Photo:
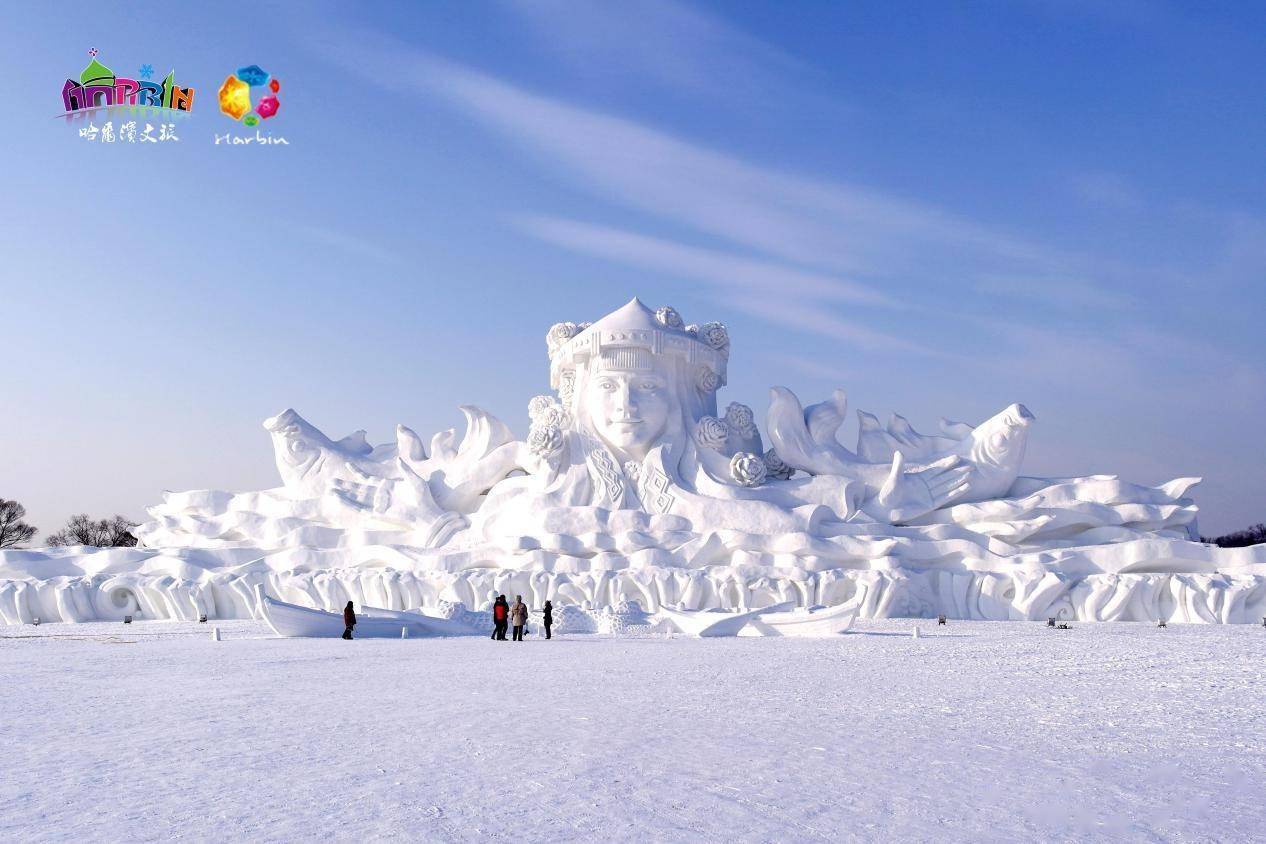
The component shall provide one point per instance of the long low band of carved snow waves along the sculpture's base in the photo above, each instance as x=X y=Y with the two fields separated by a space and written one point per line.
x=1025 y=593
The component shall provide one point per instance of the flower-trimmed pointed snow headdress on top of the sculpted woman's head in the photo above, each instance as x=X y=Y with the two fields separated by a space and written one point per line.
x=630 y=337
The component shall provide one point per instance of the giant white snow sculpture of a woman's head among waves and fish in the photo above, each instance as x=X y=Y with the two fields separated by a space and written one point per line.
x=632 y=488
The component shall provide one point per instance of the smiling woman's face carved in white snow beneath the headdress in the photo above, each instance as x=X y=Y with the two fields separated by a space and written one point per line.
x=630 y=409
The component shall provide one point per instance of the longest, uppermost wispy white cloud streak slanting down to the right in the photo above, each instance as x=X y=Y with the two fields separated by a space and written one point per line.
x=844 y=228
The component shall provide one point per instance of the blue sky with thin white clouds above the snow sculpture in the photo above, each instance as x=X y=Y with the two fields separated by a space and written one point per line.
x=941 y=208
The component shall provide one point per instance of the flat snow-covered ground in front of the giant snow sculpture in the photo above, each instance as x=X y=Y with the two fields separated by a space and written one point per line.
x=974 y=732
